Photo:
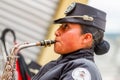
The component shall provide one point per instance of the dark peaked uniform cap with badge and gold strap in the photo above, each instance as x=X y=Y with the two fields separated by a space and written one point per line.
x=84 y=14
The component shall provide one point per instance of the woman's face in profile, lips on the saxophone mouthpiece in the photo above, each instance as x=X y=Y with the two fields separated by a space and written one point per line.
x=68 y=38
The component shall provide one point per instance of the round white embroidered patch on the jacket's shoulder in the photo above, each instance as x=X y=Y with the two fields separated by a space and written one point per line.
x=81 y=74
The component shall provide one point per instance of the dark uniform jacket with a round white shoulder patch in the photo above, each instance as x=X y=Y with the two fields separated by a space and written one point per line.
x=70 y=66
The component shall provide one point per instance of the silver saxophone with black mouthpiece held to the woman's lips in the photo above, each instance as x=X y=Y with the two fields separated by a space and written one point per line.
x=9 y=72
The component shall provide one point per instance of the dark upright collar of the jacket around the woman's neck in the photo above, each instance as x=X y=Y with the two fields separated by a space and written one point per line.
x=82 y=53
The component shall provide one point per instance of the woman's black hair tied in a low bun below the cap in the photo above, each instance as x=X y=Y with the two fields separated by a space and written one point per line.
x=99 y=45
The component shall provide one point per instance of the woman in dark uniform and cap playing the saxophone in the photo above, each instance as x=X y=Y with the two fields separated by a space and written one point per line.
x=79 y=37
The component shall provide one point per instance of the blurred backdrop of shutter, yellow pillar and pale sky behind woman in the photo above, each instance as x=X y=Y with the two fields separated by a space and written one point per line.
x=32 y=21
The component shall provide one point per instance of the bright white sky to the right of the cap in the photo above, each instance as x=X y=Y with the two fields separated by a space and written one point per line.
x=112 y=8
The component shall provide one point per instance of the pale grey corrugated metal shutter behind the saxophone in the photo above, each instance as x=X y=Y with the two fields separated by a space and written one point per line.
x=30 y=19
